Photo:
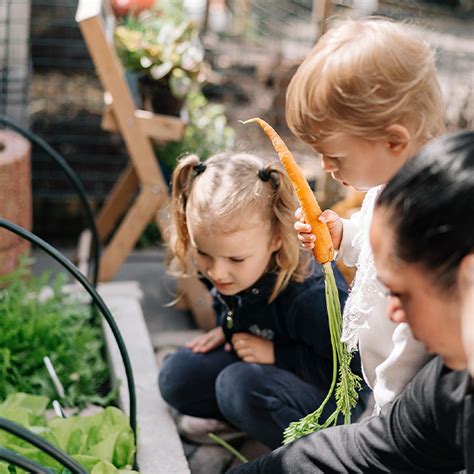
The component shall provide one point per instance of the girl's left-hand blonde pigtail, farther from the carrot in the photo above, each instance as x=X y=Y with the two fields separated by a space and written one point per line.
x=183 y=177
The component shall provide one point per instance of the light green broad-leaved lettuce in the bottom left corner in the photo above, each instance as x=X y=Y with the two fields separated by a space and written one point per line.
x=102 y=443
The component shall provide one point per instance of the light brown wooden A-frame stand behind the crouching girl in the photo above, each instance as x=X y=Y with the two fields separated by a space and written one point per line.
x=140 y=195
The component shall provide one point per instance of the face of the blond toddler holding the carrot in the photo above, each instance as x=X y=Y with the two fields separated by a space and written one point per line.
x=360 y=163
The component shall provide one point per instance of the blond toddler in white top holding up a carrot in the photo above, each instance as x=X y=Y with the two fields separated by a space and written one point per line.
x=367 y=98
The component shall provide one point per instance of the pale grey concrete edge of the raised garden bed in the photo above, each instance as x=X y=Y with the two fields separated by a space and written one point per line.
x=160 y=450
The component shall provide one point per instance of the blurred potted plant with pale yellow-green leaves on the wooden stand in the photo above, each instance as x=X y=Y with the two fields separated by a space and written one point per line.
x=162 y=48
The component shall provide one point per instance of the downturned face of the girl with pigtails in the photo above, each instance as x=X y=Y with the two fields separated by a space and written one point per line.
x=233 y=261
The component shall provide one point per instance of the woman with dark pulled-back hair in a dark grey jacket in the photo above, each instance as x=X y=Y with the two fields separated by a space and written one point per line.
x=422 y=237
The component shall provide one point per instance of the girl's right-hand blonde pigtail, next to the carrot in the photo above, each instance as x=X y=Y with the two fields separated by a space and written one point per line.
x=289 y=262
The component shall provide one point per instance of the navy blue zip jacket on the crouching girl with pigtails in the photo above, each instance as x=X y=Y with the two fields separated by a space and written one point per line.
x=296 y=322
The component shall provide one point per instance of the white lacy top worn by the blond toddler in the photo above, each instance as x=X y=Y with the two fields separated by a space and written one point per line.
x=389 y=353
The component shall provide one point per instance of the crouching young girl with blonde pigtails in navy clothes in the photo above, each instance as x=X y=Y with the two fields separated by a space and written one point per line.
x=268 y=362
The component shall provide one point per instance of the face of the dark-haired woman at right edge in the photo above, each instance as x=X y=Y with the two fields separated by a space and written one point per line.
x=433 y=314
